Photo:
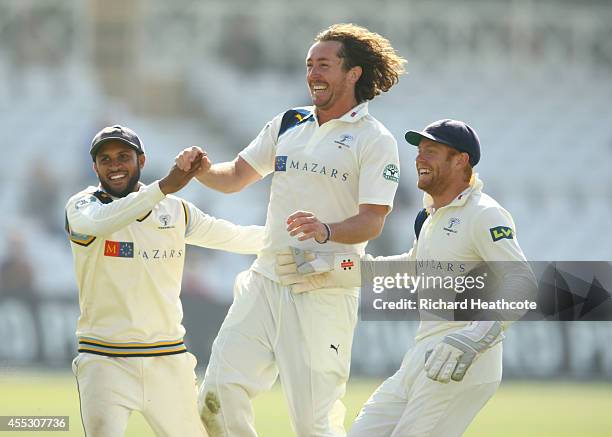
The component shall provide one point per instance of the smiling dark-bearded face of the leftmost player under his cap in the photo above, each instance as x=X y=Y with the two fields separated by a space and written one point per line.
x=118 y=168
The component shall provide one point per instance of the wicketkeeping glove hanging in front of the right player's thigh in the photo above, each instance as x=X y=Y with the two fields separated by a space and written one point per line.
x=452 y=357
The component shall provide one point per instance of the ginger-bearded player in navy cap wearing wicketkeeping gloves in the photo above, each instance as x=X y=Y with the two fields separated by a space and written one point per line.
x=455 y=366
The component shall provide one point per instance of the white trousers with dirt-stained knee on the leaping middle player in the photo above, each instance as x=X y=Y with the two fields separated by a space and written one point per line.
x=269 y=331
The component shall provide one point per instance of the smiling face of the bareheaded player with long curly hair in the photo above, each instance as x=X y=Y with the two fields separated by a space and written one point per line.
x=330 y=85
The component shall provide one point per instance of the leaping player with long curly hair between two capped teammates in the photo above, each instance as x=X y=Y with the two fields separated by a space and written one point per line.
x=335 y=170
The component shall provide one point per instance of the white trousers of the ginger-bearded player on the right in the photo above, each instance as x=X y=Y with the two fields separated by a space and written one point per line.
x=409 y=404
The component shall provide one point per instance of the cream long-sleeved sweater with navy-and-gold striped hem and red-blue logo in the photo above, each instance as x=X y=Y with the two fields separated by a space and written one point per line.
x=128 y=257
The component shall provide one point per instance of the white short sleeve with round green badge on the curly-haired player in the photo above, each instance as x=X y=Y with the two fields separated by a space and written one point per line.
x=379 y=171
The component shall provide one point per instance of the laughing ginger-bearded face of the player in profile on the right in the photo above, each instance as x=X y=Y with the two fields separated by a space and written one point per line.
x=438 y=167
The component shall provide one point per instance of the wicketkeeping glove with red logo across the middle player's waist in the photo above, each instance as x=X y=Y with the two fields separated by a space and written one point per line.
x=304 y=270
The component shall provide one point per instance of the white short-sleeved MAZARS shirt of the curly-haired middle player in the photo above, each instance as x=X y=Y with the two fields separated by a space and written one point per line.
x=328 y=170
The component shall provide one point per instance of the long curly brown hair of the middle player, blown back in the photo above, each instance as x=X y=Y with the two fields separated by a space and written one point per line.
x=381 y=65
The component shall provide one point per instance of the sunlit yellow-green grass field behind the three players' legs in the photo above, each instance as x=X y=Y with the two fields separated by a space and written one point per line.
x=525 y=409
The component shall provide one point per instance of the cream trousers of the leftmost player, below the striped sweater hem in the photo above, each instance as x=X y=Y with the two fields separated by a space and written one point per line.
x=163 y=389
